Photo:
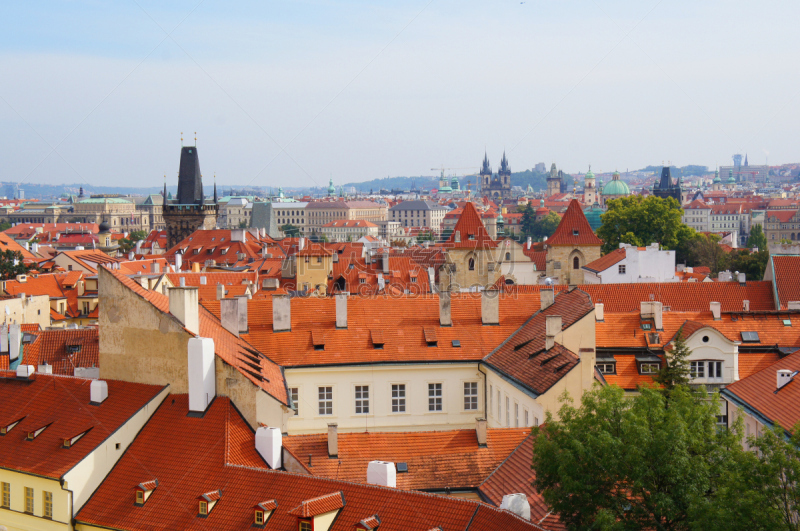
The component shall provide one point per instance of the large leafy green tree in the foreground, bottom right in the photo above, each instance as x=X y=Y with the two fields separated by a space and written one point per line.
x=631 y=463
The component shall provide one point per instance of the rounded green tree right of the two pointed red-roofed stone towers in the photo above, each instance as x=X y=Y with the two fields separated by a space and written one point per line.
x=641 y=221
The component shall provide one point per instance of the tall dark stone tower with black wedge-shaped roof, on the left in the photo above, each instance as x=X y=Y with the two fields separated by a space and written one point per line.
x=189 y=211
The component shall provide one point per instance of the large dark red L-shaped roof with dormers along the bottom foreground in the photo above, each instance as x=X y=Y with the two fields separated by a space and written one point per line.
x=188 y=456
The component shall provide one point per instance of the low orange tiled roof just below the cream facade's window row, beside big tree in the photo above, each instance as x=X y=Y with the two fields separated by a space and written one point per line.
x=436 y=459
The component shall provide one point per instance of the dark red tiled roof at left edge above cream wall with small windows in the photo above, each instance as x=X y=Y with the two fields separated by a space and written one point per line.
x=61 y=403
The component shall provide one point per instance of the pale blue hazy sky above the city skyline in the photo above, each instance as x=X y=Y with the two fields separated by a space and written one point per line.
x=296 y=93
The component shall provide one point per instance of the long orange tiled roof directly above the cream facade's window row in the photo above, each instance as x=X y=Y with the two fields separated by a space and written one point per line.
x=401 y=319
